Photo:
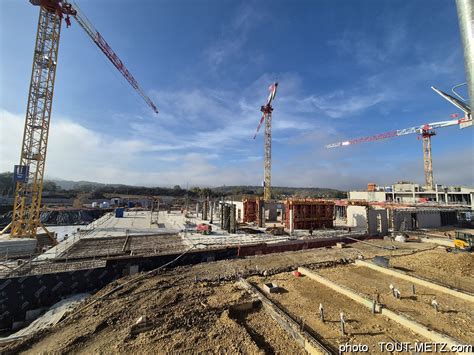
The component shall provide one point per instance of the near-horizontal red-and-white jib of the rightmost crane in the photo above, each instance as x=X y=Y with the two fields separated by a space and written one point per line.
x=462 y=122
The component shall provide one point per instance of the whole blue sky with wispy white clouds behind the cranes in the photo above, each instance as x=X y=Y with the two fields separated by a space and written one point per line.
x=346 y=69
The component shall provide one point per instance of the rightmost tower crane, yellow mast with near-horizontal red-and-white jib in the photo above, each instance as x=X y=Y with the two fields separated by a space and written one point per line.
x=426 y=131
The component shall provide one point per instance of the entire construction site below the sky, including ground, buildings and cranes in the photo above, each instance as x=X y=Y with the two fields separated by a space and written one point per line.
x=387 y=269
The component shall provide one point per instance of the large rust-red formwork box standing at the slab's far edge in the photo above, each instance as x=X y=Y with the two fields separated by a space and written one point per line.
x=309 y=213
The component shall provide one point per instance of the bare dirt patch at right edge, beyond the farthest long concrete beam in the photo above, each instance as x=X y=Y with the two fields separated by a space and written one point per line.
x=453 y=269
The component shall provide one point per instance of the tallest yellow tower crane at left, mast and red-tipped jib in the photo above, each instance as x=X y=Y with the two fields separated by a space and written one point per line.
x=28 y=175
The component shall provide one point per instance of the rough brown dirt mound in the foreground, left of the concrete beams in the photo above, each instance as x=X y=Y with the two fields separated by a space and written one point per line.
x=185 y=318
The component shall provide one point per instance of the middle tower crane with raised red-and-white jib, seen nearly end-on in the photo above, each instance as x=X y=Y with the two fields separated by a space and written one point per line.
x=267 y=117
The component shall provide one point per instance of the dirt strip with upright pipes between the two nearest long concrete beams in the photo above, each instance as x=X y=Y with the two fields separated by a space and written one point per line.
x=301 y=297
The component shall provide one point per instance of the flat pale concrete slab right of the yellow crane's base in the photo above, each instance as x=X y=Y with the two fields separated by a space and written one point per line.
x=141 y=224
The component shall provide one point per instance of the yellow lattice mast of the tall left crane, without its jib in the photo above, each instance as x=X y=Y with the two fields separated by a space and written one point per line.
x=29 y=173
